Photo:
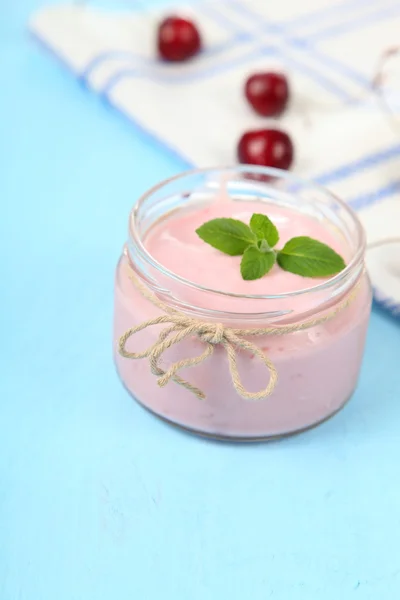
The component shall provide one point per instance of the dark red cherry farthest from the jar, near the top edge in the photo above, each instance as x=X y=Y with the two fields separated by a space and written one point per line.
x=177 y=39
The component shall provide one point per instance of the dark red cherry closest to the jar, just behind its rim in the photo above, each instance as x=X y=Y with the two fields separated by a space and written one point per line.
x=267 y=148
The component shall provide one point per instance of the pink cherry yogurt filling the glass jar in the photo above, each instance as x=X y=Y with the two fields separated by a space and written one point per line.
x=317 y=368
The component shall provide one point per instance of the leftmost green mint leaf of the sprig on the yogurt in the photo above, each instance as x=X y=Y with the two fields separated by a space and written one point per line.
x=227 y=235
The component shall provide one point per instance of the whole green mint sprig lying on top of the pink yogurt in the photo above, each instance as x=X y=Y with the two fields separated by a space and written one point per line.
x=301 y=255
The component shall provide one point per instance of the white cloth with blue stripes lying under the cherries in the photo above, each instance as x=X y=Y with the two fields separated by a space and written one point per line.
x=330 y=50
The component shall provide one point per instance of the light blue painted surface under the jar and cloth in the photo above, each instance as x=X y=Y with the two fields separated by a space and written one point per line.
x=99 y=500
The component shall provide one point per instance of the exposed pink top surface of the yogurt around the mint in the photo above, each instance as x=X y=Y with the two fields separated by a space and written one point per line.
x=174 y=243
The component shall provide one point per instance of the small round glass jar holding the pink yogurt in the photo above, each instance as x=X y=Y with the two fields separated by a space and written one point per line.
x=314 y=346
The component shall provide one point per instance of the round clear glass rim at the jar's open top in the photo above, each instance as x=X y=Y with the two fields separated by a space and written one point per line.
x=267 y=172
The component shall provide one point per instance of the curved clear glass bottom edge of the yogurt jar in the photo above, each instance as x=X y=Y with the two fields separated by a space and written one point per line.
x=234 y=438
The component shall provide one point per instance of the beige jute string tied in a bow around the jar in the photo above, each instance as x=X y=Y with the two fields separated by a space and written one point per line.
x=180 y=327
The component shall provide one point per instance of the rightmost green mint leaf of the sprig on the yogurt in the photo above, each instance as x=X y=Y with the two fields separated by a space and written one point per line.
x=309 y=258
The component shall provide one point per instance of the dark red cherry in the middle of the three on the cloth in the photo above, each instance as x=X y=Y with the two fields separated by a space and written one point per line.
x=268 y=93
